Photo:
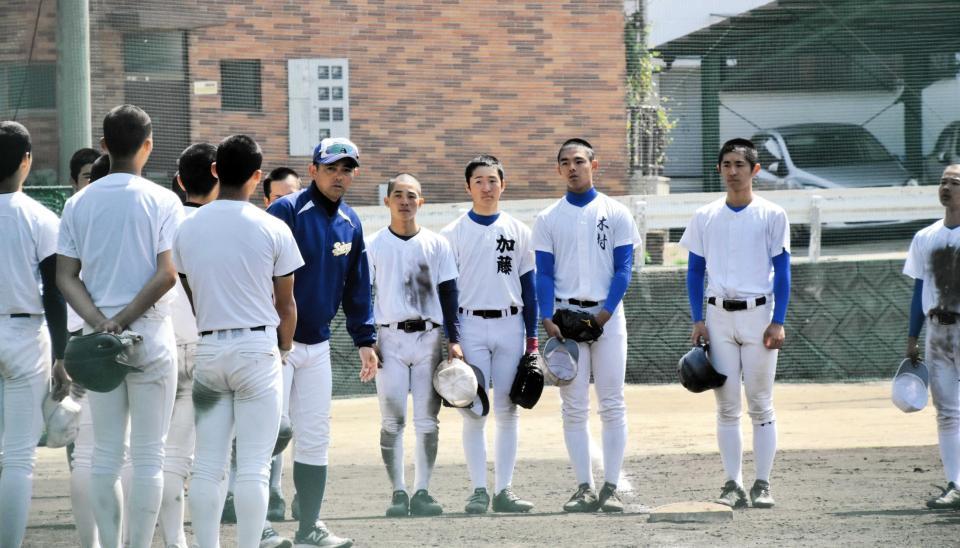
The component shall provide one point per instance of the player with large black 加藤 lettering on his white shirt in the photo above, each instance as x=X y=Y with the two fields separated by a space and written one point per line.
x=497 y=305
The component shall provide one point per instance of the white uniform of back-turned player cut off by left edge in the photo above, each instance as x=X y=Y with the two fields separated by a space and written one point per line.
x=29 y=236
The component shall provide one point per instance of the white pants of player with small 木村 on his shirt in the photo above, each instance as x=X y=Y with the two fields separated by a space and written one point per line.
x=606 y=359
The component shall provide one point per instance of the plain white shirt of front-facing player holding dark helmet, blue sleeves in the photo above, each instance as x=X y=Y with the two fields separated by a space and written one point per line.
x=739 y=246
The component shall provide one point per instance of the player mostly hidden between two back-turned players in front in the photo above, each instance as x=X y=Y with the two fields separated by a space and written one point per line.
x=200 y=187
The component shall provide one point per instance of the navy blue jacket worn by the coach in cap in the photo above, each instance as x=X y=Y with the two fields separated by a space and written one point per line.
x=336 y=268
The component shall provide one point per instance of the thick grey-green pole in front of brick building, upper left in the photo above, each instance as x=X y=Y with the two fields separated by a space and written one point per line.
x=73 y=80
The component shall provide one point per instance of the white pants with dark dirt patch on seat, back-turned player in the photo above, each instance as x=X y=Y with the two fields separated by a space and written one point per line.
x=237 y=388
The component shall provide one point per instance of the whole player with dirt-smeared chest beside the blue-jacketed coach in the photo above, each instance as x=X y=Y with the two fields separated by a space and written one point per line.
x=414 y=274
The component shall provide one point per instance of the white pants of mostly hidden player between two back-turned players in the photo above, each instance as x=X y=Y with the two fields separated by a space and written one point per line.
x=179 y=450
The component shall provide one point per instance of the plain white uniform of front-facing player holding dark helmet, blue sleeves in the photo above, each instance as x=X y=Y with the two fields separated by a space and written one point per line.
x=739 y=247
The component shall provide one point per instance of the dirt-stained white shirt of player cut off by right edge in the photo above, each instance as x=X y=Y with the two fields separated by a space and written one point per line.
x=934 y=257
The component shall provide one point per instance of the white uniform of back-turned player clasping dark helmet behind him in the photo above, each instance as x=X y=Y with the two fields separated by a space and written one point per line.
x=116 y=229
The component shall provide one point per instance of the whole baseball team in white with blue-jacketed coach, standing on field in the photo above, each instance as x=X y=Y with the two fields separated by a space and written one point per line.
x=175 y=340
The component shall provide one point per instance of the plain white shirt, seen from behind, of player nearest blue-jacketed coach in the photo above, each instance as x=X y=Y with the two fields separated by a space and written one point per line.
x=230 y=251
